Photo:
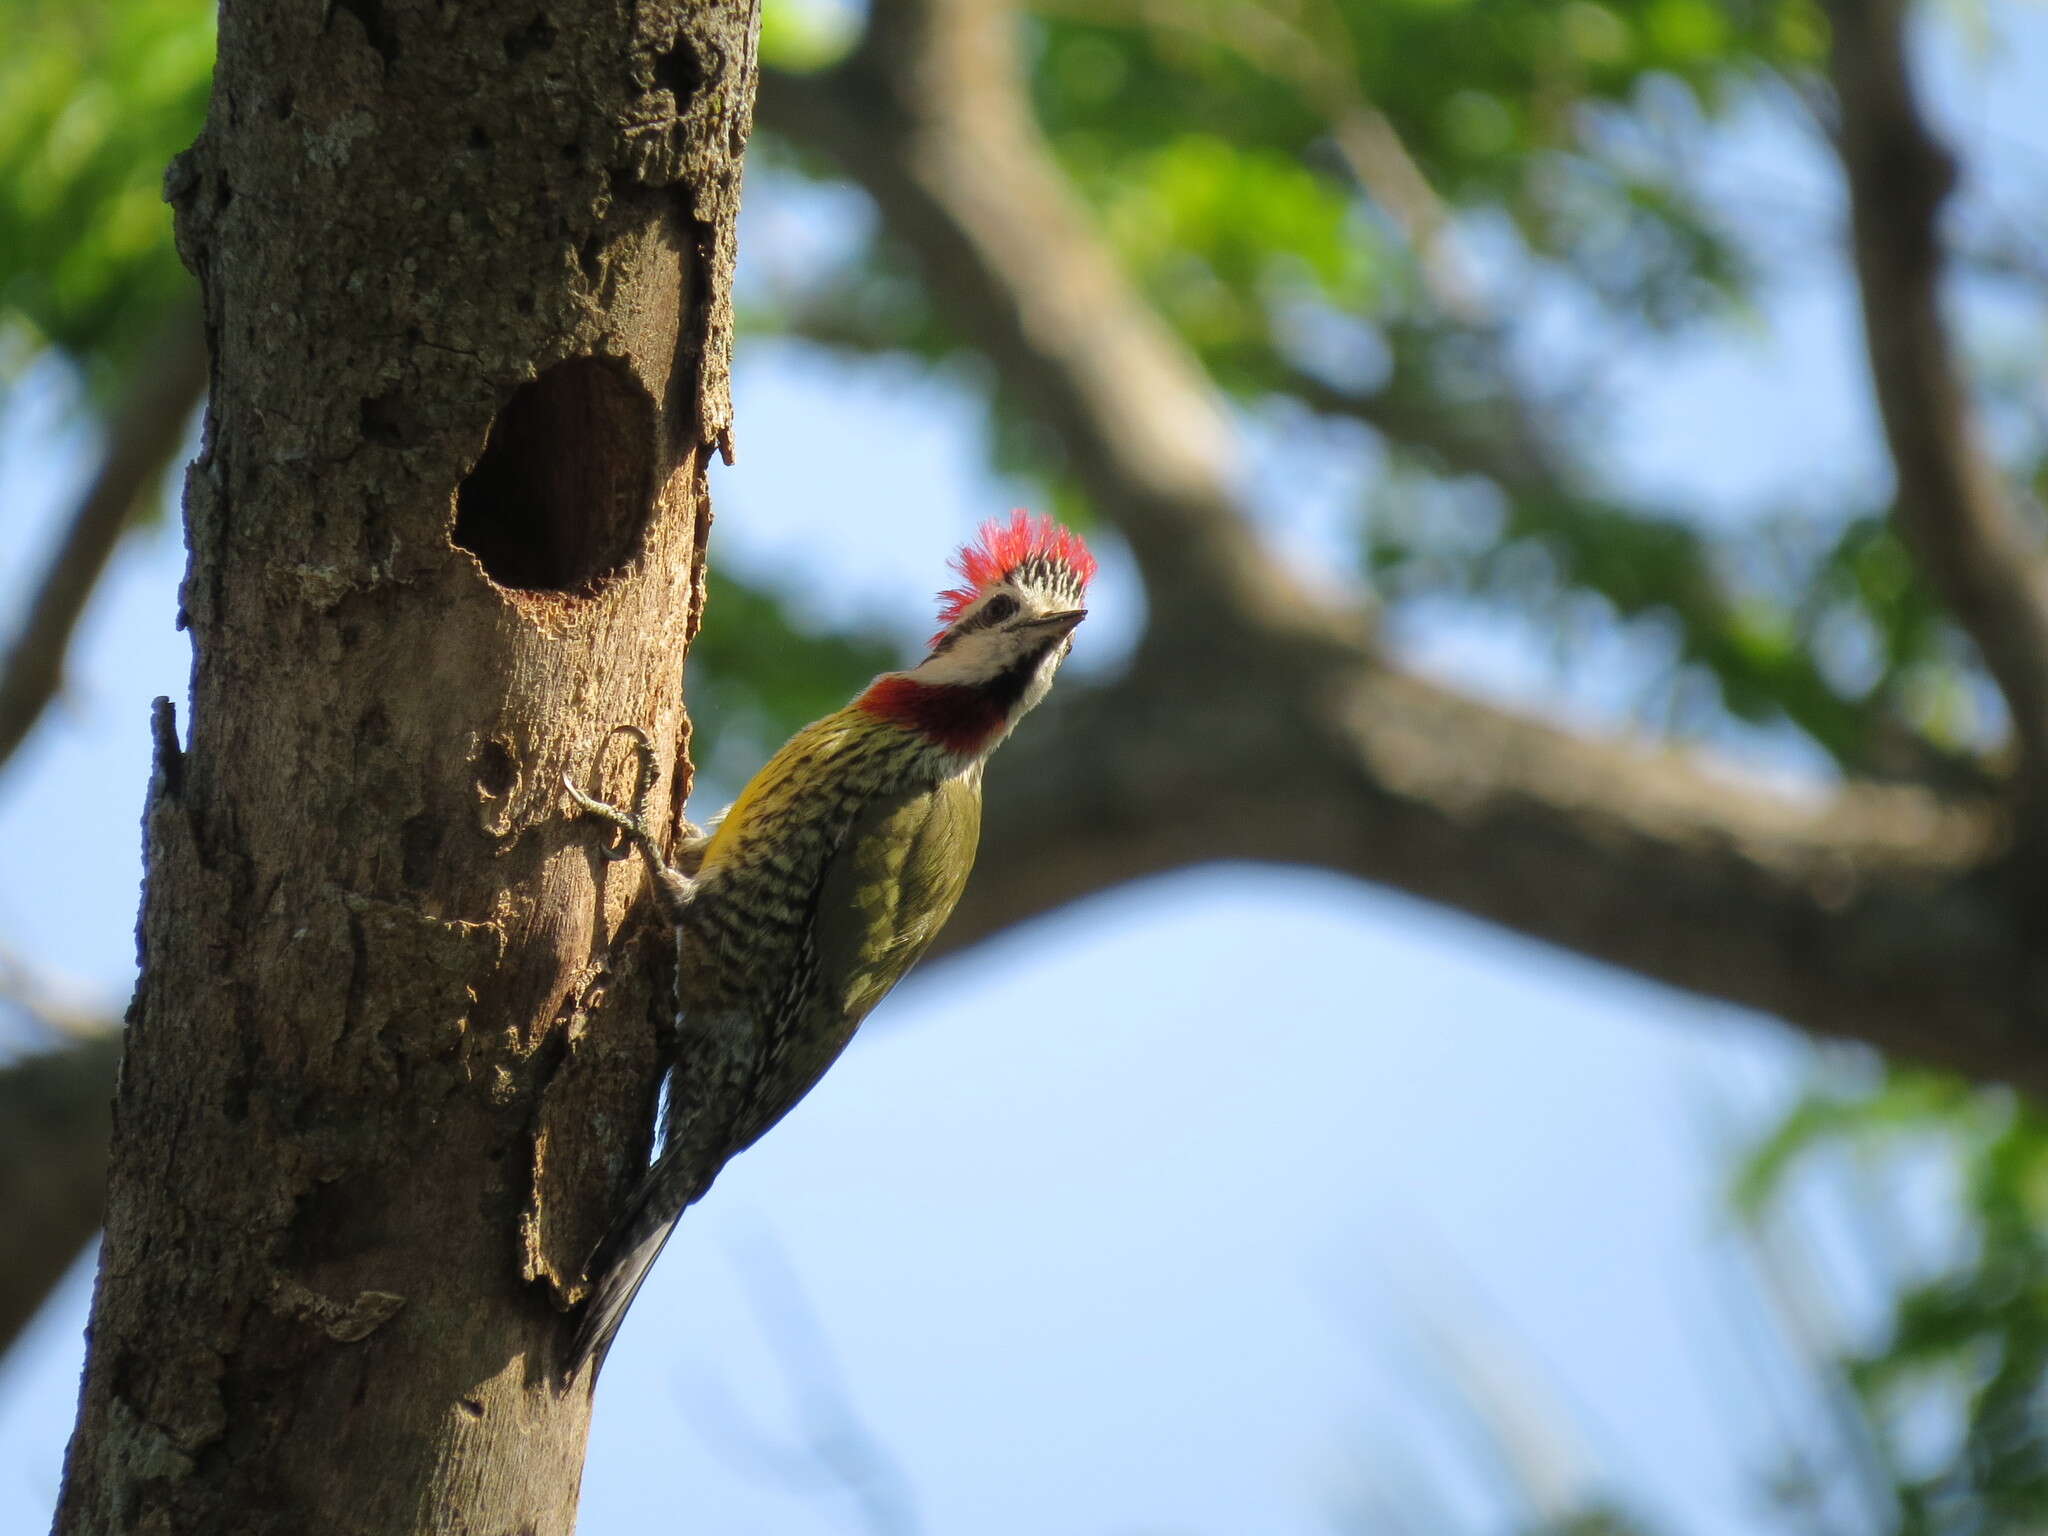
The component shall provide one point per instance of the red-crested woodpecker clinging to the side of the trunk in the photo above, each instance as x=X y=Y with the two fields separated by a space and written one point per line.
x=828 y=878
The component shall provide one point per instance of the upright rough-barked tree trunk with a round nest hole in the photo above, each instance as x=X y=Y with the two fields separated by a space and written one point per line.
x=392 y=1054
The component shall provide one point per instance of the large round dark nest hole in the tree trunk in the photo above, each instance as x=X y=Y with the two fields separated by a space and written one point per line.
x=566 y=482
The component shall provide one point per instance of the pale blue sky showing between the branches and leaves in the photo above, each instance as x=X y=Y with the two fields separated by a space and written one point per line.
x=1193 y=1207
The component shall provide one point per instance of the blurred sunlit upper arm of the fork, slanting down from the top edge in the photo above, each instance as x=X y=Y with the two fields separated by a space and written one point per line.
x=929 y=116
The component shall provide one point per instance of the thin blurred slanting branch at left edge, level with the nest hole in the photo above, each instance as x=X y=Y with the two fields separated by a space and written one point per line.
x=142 y=435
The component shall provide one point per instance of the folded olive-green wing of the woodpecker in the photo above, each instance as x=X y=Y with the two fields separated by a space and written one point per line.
x=892 y=888
